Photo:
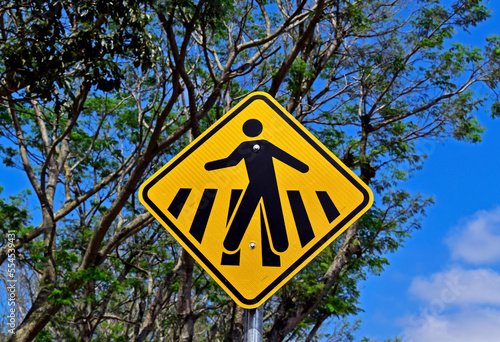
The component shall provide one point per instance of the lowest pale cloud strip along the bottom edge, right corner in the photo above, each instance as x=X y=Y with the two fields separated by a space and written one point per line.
x=470 y=325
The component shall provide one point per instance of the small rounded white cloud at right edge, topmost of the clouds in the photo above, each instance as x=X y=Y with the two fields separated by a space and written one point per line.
x=478 y=241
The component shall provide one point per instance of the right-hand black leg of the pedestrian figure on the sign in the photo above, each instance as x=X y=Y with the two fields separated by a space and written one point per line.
x=274 y=214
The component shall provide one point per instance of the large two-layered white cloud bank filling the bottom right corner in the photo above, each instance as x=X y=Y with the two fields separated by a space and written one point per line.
x=459 y=305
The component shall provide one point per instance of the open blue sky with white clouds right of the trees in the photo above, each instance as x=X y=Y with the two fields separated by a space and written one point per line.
x=444 y=285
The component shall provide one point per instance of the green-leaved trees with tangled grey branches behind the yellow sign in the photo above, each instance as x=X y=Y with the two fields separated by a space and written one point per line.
x=97 y=95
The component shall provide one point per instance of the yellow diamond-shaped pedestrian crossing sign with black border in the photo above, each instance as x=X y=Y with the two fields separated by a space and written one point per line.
x=255 y=198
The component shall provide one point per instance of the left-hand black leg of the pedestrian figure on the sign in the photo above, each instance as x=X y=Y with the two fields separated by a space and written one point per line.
x=241 y=220
